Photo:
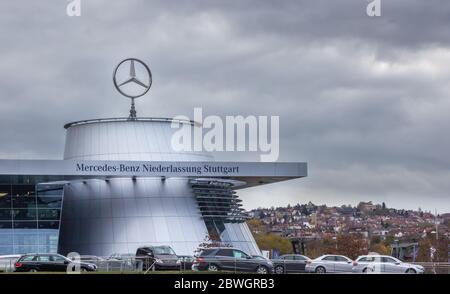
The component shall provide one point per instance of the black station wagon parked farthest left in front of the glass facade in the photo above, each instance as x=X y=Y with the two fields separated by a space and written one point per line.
x=48 y=263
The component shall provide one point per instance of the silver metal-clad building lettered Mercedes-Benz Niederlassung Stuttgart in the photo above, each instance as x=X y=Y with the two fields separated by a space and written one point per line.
x=120 y=185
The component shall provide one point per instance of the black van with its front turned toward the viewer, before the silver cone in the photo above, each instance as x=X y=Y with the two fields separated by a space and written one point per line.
x=158 y=258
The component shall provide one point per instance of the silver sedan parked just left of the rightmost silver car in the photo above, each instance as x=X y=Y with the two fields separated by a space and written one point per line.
x=329 y=264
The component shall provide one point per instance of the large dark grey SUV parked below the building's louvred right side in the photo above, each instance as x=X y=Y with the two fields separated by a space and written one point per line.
x=231 y=259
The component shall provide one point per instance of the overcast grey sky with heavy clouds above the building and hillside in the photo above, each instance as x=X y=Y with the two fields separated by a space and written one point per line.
x=363 y=100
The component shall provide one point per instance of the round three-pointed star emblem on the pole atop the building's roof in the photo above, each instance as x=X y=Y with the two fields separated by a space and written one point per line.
x=144 y=84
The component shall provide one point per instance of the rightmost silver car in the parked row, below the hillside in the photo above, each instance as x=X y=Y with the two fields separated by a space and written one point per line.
x=384 y=264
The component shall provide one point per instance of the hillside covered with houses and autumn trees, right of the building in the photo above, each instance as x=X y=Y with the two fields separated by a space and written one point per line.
x=357 y=229
